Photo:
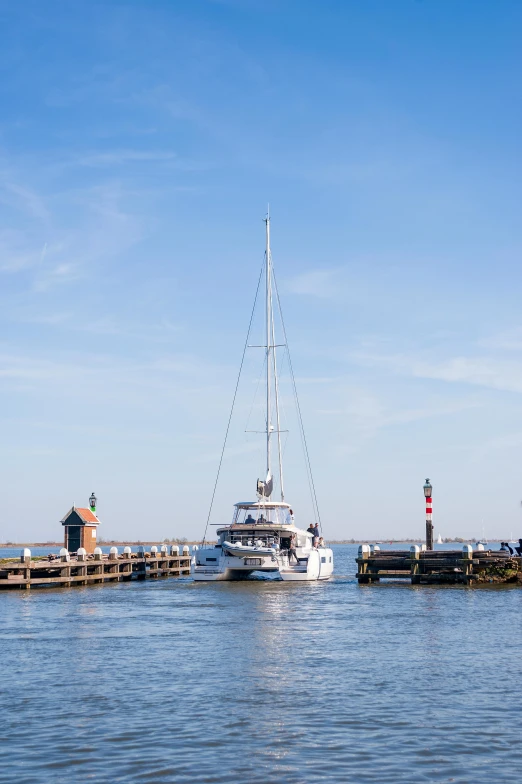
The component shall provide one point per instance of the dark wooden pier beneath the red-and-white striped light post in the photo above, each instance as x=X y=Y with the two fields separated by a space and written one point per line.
x=438 y=566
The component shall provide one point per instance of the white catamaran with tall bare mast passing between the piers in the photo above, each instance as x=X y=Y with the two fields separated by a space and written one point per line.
x=262 y=536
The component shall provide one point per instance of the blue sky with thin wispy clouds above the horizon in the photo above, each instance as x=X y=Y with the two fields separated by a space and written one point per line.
x=139 y=145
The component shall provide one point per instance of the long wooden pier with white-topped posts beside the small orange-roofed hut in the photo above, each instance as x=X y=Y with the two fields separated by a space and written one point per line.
x=82 y=569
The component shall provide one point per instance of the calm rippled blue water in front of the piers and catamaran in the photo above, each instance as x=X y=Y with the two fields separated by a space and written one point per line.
x=172 y=681
